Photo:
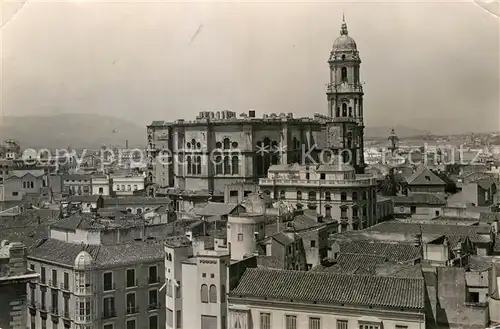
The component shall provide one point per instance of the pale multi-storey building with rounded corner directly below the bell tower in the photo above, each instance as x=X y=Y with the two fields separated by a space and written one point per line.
x=335 y=191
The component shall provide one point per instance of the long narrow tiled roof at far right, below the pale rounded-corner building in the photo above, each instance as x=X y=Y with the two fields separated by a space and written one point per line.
x=477 y=234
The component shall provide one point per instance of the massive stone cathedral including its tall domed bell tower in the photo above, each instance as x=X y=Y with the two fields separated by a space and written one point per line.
x=237 y=140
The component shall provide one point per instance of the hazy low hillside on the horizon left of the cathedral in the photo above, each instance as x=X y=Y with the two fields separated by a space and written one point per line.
x=72 y=130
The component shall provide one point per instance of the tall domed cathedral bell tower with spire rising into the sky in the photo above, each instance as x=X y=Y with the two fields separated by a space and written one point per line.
x=345 y=100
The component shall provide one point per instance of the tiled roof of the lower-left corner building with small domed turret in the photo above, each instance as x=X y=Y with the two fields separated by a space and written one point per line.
x=103 y=255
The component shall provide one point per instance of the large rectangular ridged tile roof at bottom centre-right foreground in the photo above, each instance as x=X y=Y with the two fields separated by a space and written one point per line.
x=332 y=288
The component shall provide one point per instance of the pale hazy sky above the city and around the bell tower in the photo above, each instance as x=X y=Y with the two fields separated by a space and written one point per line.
x=426 y=64
